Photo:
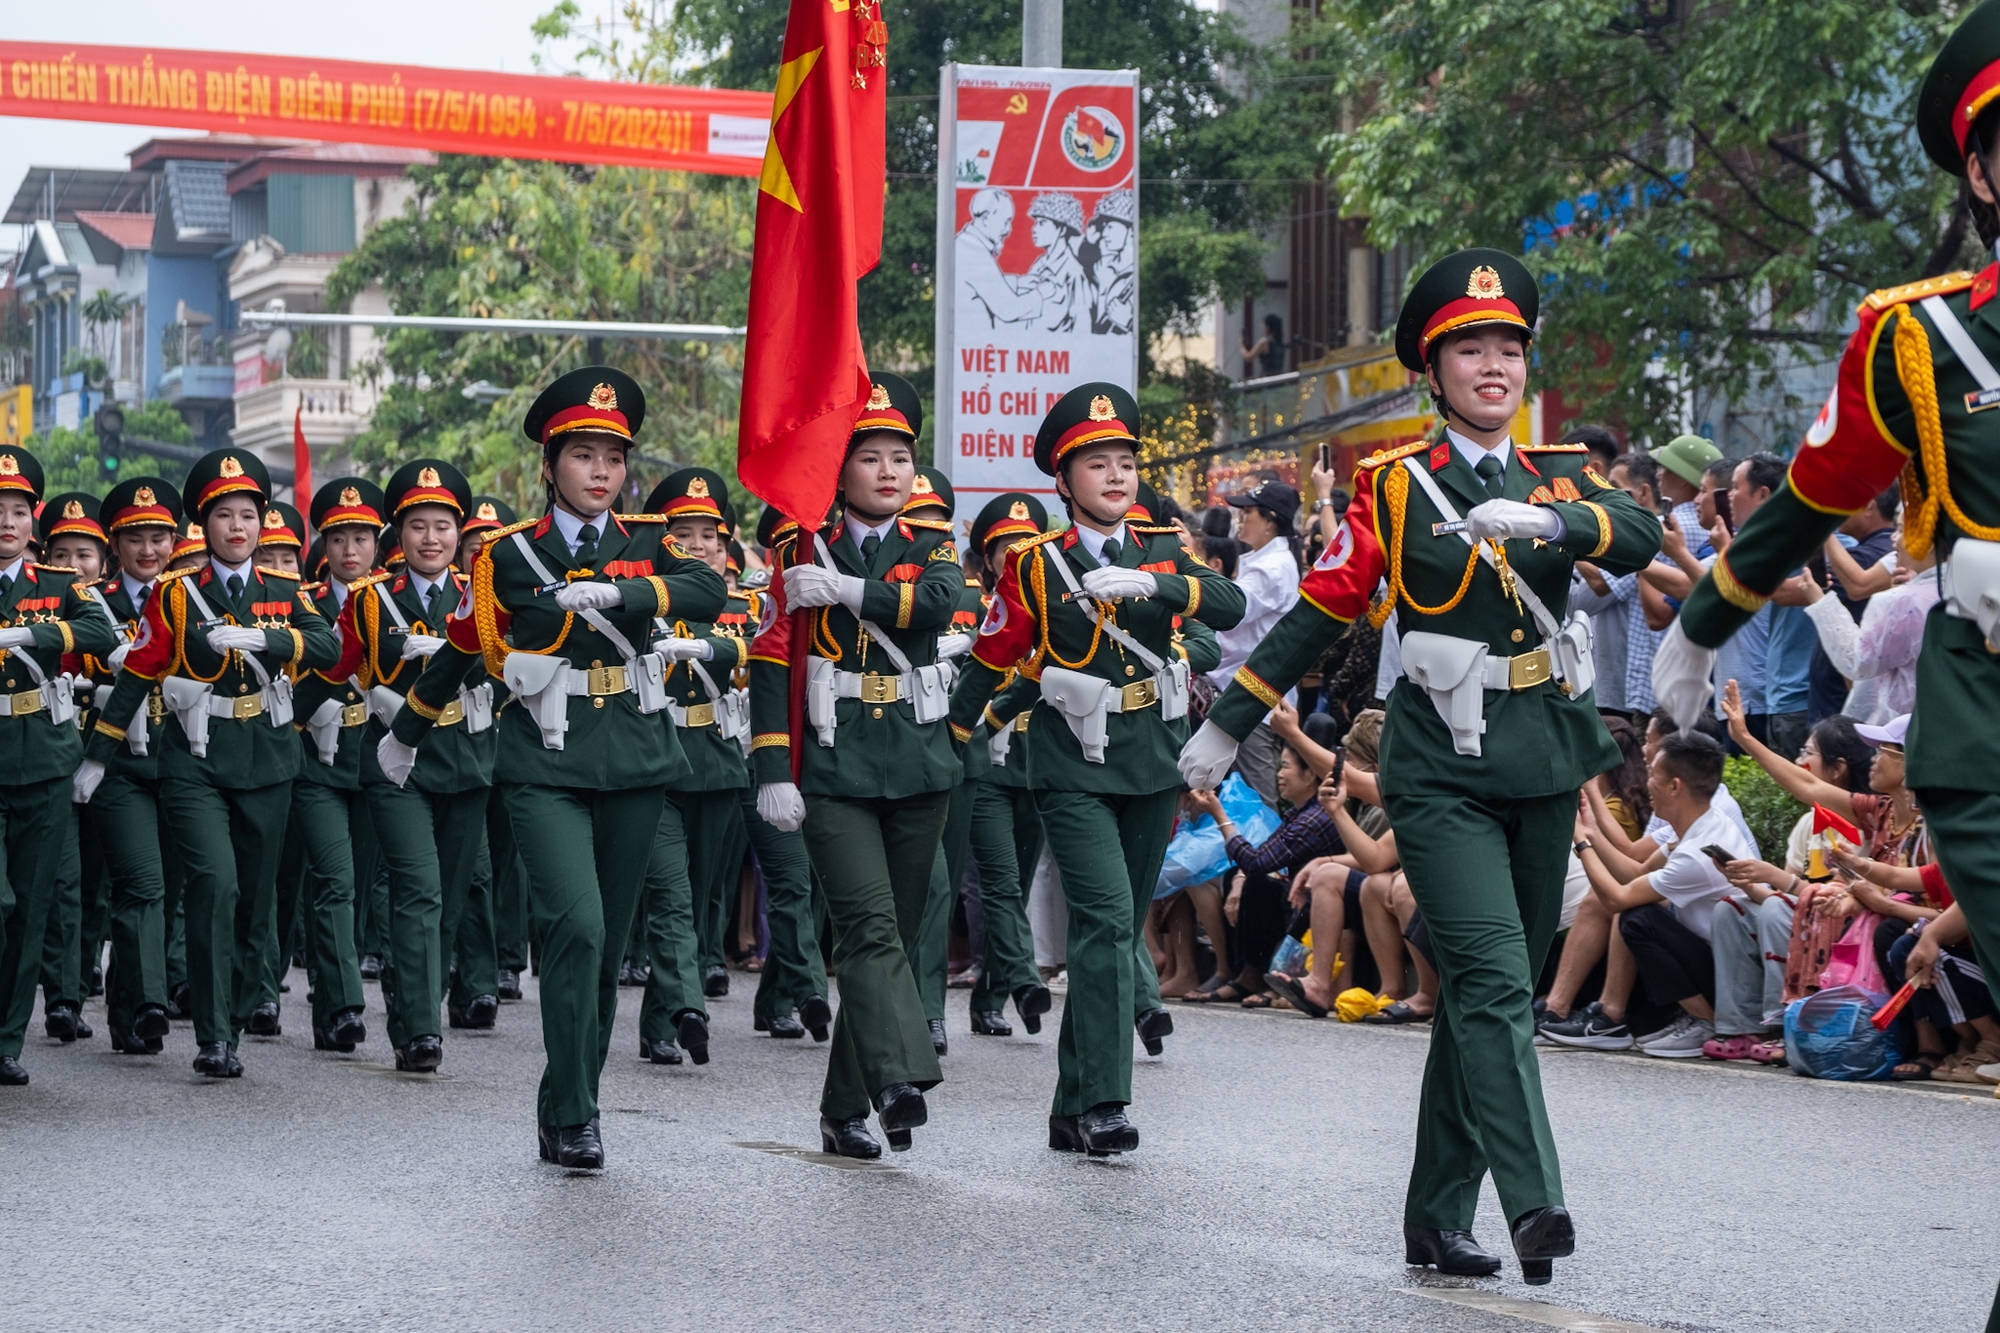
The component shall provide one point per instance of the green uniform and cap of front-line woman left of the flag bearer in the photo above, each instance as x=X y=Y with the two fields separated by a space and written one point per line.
x=581 y=766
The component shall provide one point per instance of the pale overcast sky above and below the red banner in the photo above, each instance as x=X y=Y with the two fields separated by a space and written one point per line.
x=465 y=35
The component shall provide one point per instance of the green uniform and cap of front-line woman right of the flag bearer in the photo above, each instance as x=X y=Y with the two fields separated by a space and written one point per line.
x=1101 y=760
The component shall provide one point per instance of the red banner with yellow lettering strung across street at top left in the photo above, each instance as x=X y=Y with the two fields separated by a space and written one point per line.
x=715 y=131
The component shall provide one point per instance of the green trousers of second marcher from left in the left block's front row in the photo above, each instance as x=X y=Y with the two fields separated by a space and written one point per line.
x=231 y=840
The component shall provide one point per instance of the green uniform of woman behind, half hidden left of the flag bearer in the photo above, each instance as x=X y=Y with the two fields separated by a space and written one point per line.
x=691 y=882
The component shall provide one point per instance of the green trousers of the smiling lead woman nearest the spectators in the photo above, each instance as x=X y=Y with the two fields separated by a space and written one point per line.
x=1487 y=876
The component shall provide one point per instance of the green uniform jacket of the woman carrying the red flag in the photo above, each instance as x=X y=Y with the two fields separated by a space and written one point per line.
x=881 y=750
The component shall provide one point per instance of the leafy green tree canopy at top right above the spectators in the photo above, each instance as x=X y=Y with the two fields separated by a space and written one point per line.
x=1733 y=177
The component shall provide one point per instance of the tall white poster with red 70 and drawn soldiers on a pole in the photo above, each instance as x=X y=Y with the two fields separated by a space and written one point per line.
x=1037 y=261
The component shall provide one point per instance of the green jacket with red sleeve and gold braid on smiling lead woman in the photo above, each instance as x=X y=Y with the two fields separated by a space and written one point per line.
x=1539 y=742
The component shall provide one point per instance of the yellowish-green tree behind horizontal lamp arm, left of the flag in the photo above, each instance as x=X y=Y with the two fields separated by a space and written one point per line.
x=551 y=241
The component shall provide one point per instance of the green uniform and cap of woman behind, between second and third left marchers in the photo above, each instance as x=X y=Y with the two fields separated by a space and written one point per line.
x=329 y=810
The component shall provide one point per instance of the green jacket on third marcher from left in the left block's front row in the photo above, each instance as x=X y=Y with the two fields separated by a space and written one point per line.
x=371 y=647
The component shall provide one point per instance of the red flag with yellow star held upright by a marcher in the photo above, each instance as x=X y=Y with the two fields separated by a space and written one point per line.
x=819 y=229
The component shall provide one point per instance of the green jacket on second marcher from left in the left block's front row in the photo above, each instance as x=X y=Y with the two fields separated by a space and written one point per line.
x=243 y=754
